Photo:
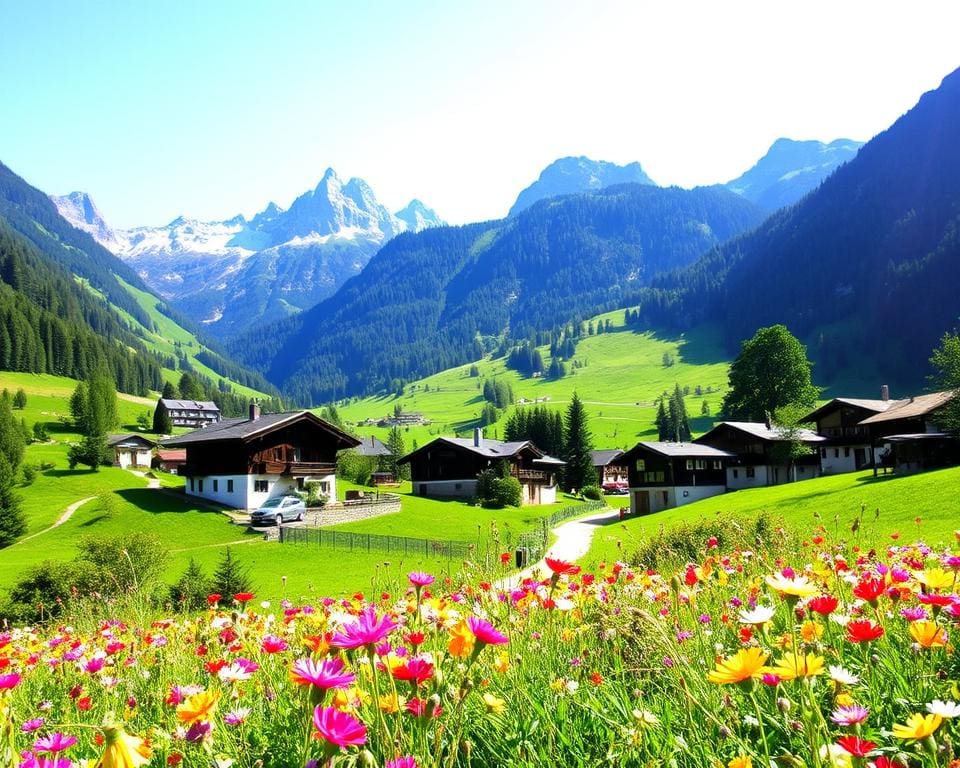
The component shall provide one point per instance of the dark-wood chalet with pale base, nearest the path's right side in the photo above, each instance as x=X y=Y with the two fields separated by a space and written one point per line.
x=666 y=475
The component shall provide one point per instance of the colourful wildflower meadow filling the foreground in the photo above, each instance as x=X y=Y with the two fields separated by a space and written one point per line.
x=840 y=657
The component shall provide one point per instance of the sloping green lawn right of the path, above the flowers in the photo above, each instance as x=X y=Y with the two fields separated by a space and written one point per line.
x=835 y=502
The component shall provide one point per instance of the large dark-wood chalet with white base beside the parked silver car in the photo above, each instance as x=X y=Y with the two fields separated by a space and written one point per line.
x=243 y=462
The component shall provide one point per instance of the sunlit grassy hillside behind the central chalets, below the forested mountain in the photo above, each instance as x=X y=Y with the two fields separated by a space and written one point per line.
x=620 y=376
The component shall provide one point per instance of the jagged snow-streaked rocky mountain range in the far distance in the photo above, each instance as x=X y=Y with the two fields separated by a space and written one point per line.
x=234 y=274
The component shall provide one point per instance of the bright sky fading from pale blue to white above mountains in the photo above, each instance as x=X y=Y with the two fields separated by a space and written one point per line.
x=209 y=109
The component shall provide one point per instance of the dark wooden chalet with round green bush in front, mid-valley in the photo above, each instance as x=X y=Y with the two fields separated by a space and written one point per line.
x=448 y=467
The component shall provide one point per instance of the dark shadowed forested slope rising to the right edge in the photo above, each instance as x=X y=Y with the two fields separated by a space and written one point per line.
x=866 y=266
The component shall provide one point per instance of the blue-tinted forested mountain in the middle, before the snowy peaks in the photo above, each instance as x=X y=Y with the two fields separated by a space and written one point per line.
x=441 y=297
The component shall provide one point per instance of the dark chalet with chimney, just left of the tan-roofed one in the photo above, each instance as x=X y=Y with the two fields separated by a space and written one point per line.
x=846 y=446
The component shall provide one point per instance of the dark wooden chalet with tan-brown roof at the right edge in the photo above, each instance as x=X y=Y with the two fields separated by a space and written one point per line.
x=907 y=437
